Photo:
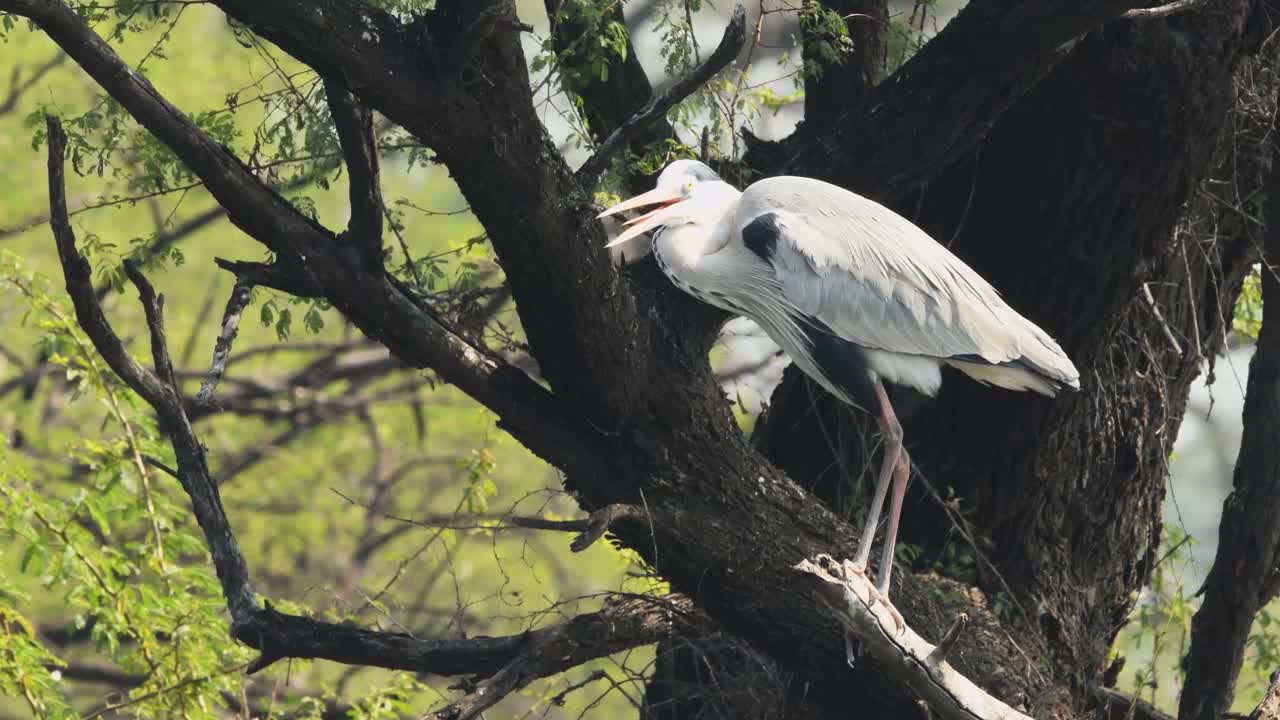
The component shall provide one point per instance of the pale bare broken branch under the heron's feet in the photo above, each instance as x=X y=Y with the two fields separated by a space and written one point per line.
x=904 y=655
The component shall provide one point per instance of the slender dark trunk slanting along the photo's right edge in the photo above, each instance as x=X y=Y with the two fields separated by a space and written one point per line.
x=1249 y=549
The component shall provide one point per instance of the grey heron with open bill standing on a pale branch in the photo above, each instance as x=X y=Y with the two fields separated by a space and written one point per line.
x=852 y=291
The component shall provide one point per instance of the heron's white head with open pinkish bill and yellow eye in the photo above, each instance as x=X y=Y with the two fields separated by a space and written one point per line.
x=688 y=193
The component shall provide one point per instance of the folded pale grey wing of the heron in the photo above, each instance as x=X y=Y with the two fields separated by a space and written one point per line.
x=879 y=281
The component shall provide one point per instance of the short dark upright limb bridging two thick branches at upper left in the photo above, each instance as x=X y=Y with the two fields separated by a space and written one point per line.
x=355 y=125
